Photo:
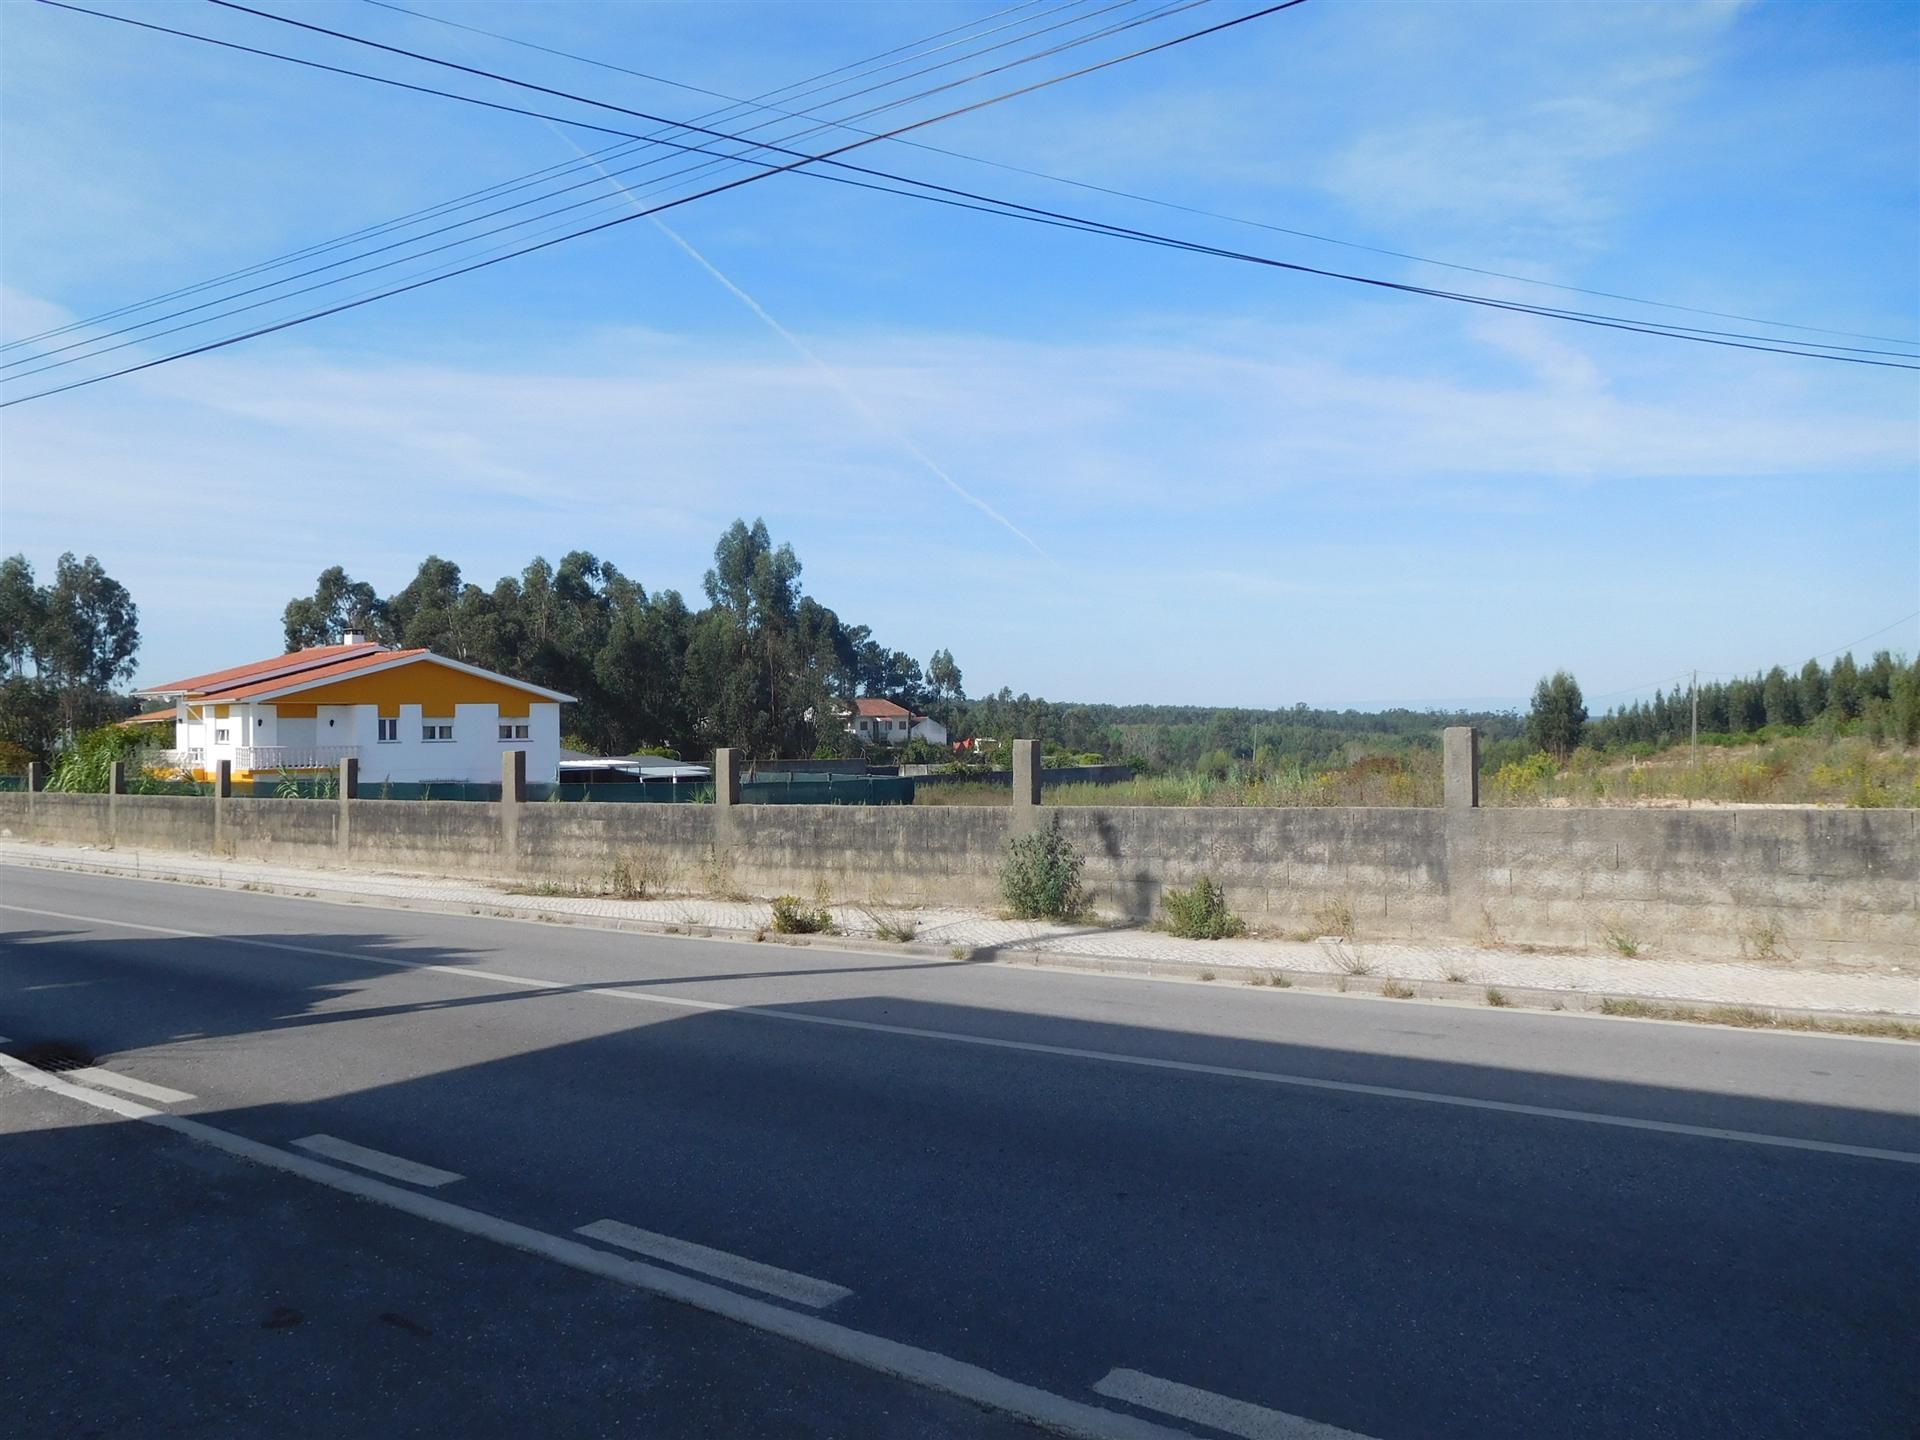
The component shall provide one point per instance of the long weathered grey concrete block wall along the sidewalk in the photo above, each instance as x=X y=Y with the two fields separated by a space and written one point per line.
x=1833 y=886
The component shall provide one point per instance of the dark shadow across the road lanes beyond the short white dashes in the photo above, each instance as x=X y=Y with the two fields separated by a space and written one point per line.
x=1389 y=1266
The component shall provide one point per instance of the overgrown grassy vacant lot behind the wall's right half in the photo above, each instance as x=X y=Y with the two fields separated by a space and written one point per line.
x=1731 y=771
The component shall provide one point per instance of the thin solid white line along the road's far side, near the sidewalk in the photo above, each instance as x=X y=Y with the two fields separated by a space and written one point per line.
x=1026 y=1047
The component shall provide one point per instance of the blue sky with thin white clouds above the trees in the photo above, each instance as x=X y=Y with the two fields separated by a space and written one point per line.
x=1241 y=487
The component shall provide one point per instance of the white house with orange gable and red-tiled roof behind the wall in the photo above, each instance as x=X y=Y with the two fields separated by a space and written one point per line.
x=404 y=715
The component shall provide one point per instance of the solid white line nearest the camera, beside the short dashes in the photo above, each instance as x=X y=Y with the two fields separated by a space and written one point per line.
x=911 y=1364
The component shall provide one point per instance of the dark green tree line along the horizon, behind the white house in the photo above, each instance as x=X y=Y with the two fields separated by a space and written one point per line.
x=769 y=669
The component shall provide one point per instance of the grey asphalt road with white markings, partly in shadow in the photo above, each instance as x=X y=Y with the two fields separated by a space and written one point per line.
x=1222 y=1211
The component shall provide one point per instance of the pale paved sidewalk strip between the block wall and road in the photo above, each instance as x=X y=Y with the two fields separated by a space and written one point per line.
x=1706 y=982
